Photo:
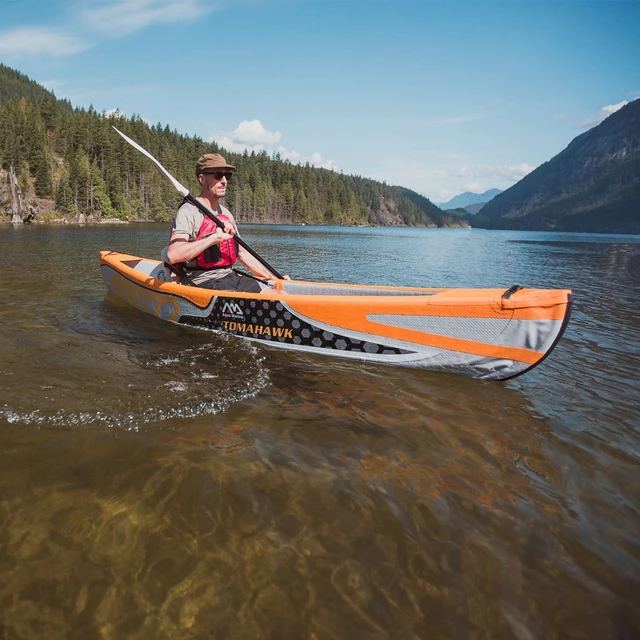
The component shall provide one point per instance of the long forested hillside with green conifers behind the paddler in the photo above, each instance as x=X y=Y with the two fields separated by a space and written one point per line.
x=68 y=164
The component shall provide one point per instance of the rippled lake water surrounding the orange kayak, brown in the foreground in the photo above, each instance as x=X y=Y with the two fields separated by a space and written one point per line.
x=163 y=482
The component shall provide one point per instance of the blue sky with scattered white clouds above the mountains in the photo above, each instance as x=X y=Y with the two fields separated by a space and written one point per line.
x=441 y=96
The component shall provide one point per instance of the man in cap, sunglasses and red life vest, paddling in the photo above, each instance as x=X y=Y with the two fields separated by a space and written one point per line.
x=205 y=251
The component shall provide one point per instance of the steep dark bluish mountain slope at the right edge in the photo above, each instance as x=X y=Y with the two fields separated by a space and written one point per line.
x=592 y=186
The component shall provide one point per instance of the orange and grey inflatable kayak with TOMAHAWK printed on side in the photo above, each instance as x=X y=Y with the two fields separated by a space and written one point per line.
x=494 y=334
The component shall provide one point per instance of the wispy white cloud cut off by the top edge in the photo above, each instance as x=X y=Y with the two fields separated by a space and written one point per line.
x=123 y=17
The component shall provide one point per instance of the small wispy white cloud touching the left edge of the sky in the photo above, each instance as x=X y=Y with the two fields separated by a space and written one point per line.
x=38 y=41
